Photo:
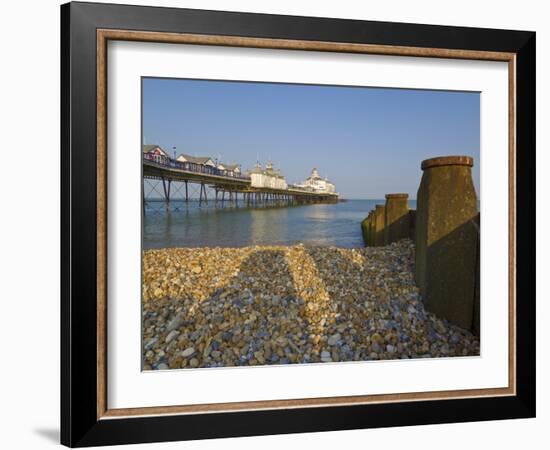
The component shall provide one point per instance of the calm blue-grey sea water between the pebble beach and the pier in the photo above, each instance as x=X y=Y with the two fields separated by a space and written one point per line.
x=193 y=226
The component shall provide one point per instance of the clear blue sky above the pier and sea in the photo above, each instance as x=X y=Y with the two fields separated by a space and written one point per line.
x=368 y=141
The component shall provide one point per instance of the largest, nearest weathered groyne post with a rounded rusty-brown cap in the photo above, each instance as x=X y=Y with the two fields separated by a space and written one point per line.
x=446 y=238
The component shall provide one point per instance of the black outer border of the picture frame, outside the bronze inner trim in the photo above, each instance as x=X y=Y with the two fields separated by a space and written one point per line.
x=80 y=425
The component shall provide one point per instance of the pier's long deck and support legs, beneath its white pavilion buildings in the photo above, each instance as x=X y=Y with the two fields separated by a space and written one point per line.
x=177 y=178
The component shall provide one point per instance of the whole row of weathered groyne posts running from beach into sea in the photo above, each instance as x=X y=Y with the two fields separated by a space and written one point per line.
x=445 y=231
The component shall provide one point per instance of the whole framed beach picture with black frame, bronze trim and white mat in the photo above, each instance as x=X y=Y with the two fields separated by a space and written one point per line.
x=277 y=224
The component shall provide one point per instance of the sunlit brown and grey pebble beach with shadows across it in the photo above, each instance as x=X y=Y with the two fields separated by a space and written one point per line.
x=263 y=305
